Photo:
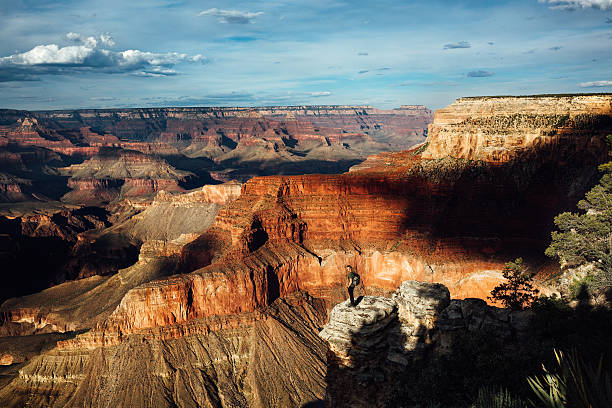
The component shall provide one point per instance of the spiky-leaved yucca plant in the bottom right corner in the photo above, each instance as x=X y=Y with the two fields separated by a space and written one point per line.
x=576 y=384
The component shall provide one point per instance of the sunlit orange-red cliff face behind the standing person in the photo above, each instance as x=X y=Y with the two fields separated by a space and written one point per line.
x=286 y=234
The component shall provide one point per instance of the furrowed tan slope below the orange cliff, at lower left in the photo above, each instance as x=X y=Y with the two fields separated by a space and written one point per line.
x=264 y=359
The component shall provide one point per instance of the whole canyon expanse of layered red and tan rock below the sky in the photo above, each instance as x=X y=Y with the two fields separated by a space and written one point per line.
x=231 y=294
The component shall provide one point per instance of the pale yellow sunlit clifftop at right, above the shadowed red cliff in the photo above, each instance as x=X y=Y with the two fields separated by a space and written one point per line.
x=500 y=129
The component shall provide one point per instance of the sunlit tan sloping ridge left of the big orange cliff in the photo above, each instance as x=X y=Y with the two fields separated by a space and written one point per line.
x=169 y=225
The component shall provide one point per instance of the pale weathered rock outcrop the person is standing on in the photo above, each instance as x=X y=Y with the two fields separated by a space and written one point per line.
x=371 y=344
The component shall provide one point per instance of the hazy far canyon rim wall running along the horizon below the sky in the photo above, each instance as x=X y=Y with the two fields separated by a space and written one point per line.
x=161 y=130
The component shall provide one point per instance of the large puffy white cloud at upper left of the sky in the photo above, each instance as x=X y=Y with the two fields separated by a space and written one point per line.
x=89 y=56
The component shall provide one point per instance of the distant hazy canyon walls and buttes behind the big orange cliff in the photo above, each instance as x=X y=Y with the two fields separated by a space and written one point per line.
x=76 y=156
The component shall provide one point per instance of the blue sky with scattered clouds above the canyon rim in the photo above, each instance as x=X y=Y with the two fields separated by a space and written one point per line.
x=72 y=54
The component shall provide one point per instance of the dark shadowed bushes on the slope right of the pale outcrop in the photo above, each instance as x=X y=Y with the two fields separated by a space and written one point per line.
x=482 y=362
